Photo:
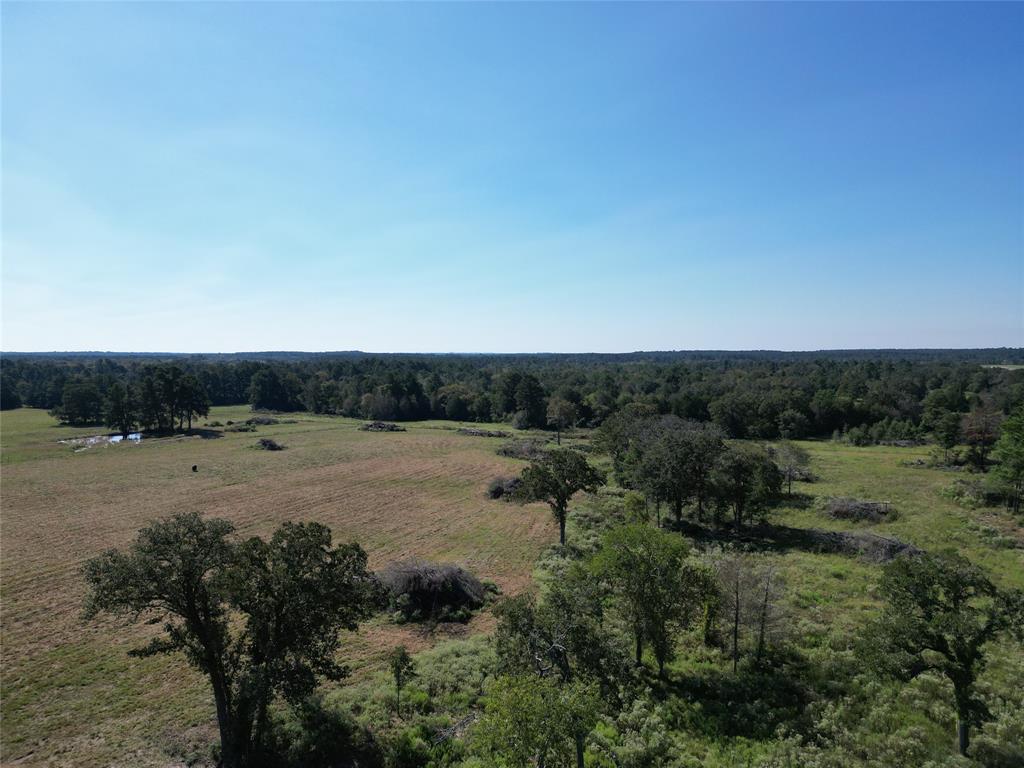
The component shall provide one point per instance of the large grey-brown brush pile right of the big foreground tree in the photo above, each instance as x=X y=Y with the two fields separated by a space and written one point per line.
x=421 y=590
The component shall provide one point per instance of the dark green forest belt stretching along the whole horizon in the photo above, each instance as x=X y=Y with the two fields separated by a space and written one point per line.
x=874 y=396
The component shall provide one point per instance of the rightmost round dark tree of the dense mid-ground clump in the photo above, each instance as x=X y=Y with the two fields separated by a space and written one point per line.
x=747 y=481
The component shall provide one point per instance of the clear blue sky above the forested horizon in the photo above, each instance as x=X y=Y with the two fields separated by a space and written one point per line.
x=520 y=178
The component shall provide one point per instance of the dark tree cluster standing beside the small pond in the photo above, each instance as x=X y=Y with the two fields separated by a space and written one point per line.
x=160 y=398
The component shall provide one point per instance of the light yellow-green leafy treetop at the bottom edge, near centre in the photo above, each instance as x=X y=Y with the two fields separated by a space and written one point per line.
x=530 y=721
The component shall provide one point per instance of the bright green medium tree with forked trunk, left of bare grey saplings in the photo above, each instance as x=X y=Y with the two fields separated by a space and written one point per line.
x=657 y=590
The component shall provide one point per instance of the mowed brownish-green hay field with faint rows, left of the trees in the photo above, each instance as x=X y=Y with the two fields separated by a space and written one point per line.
x=71 y=696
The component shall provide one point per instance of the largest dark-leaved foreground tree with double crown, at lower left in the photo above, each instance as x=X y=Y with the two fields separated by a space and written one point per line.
x=260 y=619
